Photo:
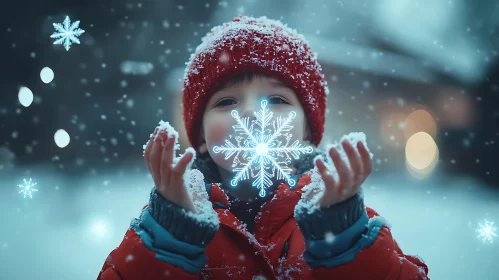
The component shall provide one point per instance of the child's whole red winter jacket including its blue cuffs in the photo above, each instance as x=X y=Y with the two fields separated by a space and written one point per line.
x=347 y=241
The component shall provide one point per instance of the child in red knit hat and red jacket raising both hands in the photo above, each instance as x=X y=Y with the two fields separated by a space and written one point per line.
x=197 y=226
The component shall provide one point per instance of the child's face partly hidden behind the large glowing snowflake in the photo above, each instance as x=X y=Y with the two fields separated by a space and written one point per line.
x=246 y=98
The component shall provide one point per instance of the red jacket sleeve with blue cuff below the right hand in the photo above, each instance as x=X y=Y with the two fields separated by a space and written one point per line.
x=350 y=241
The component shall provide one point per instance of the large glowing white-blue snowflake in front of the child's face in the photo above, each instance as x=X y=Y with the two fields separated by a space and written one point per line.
x=258 y=152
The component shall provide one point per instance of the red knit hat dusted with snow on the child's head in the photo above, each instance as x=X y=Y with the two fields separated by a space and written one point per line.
x=259 y=45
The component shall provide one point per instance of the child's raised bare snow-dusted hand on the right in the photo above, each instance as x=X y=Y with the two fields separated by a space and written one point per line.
x=350 y=178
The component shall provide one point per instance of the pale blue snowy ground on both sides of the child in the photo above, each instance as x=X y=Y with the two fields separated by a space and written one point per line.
x=71 y=224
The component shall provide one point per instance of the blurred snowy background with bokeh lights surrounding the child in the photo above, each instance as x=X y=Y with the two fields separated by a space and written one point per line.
x=419 y=78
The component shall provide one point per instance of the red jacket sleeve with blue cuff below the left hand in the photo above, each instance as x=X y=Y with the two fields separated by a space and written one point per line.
x=165 y=241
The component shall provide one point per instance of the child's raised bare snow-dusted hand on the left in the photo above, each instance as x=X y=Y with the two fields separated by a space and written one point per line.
x=168 y=177
